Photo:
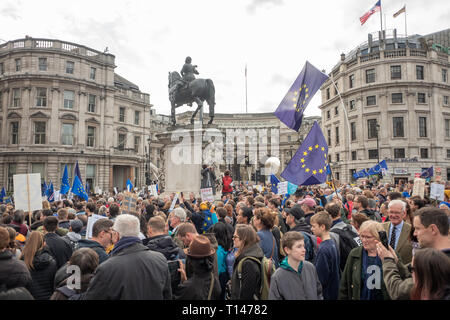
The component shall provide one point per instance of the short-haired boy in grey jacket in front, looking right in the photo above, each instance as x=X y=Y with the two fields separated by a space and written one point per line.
x=296 y=279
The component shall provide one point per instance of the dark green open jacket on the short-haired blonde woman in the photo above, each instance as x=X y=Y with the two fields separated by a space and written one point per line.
x=350 y=286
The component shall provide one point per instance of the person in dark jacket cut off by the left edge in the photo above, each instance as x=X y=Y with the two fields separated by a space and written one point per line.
x=13 y=273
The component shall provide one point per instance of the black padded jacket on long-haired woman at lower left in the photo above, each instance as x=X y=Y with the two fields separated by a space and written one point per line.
x=42 y=274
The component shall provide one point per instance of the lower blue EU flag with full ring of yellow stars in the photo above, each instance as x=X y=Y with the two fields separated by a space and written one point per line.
x=309 y=164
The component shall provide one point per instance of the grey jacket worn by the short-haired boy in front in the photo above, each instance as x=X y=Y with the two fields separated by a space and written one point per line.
x=289 y=285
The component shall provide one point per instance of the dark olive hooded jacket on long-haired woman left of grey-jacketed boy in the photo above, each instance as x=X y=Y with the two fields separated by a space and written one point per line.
x=251 y=274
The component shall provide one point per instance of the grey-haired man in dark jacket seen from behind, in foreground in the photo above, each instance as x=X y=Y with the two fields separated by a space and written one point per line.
x=133 y=272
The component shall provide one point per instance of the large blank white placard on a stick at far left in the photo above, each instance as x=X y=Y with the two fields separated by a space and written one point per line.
x=27 y=192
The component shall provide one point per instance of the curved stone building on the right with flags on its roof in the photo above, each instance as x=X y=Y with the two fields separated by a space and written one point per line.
x=395 y=92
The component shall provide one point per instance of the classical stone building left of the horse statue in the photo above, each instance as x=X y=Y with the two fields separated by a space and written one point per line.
x=62 y=102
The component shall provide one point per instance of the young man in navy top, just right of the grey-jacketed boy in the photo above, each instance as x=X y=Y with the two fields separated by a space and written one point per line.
x=327 y=259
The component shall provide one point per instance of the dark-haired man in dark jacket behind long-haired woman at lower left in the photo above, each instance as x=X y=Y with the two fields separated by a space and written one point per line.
x=59 y=248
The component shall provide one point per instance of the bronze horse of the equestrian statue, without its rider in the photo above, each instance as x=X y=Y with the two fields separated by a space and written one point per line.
x=198 y=90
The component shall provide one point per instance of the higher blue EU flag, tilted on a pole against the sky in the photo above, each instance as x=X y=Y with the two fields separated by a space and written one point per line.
x=291 y=109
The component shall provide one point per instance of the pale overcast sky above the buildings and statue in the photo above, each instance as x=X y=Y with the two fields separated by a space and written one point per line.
x=274 y=38
